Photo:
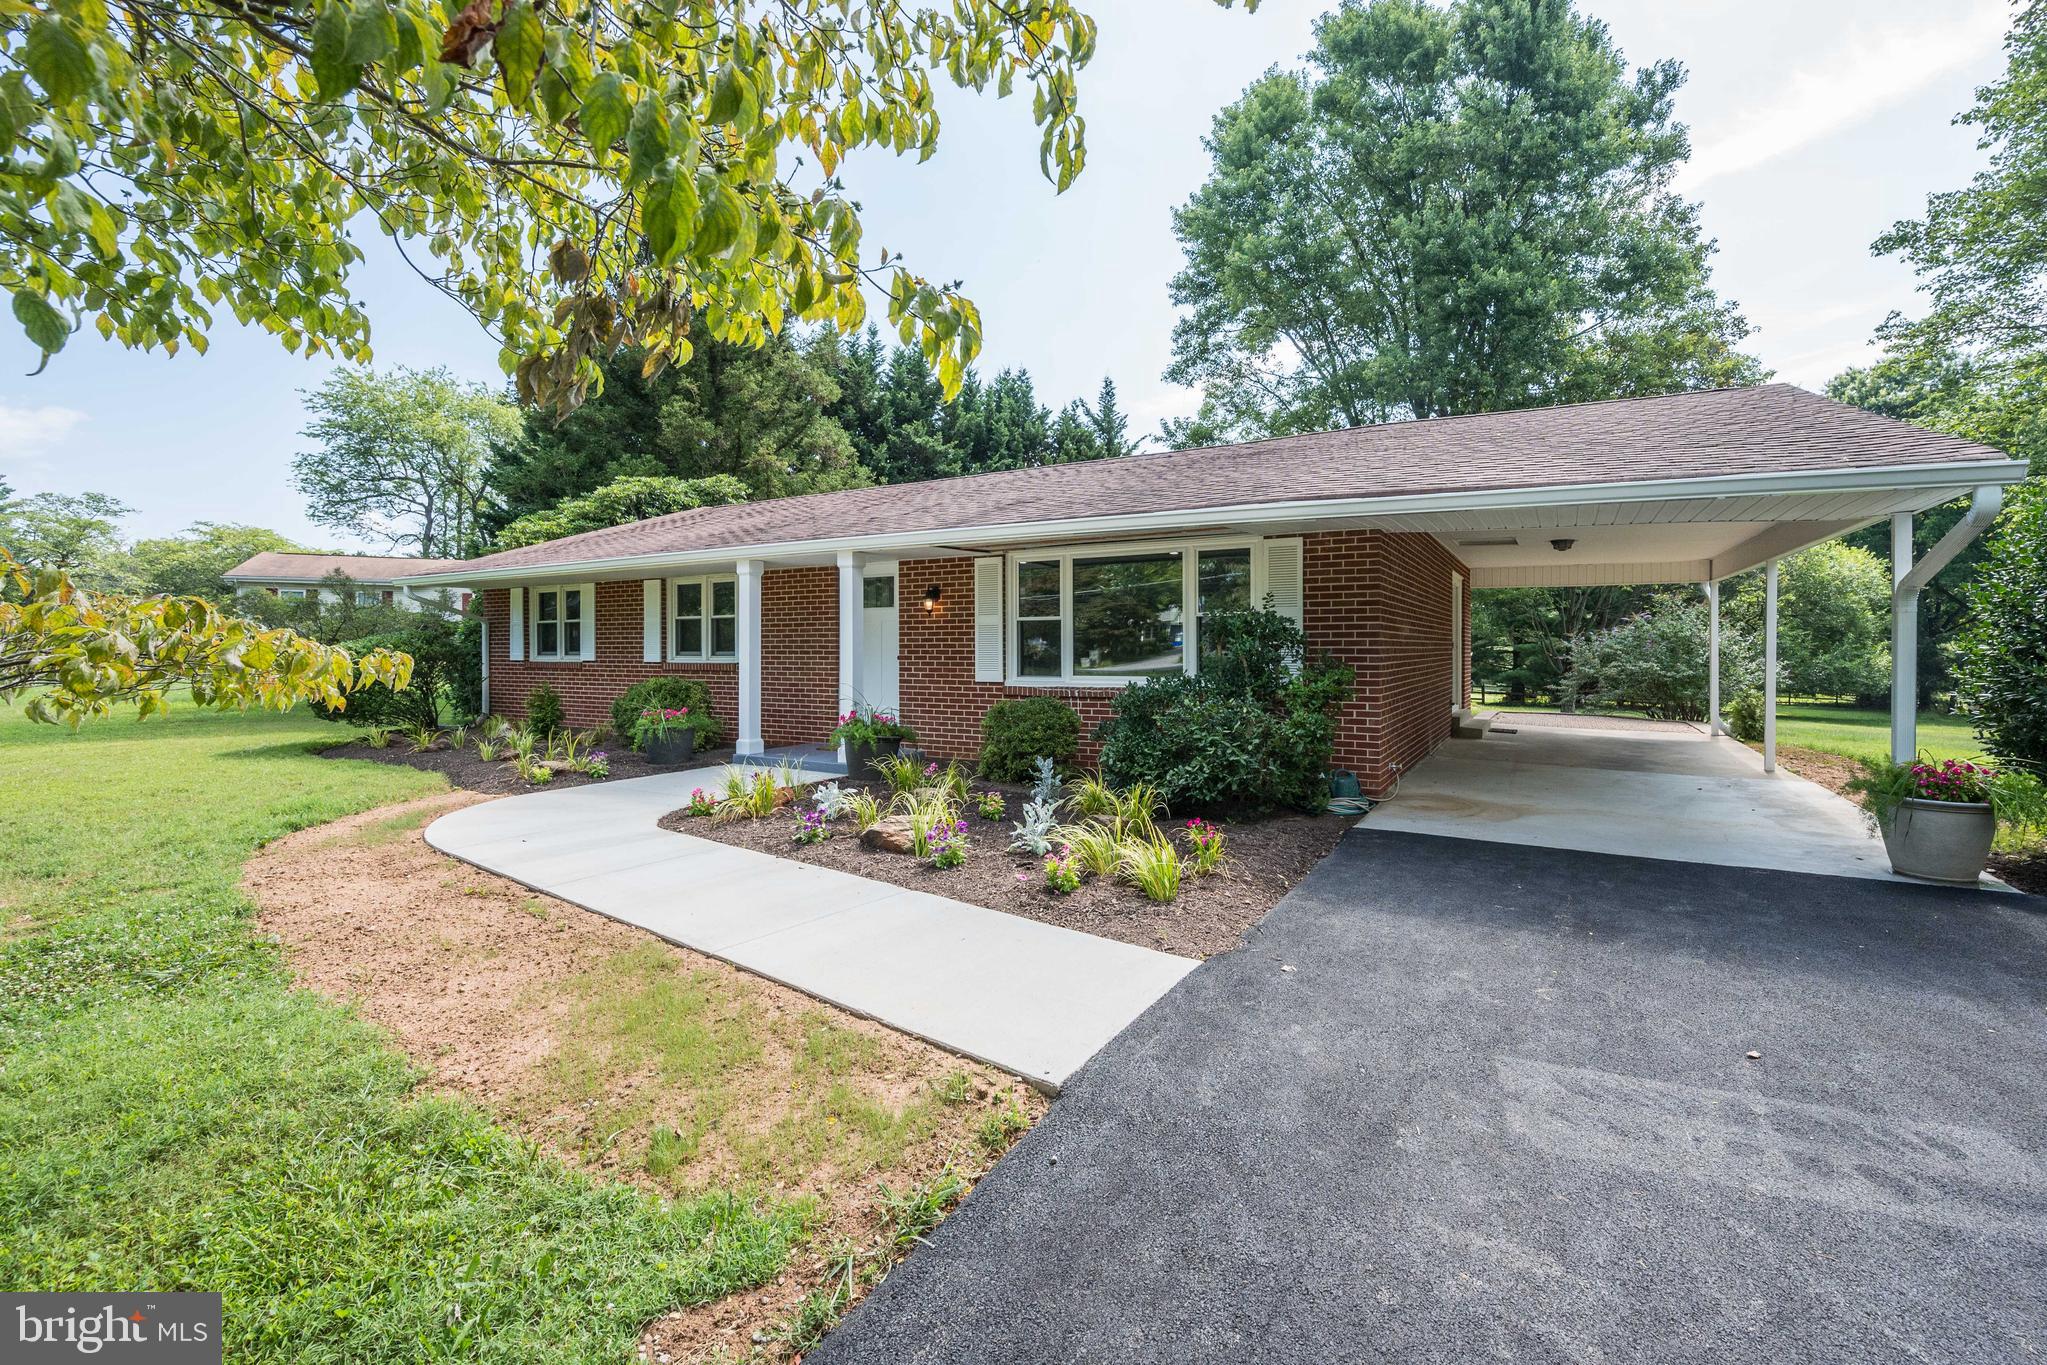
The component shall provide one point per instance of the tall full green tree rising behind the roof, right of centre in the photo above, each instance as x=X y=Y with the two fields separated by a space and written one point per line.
x=1454 y=210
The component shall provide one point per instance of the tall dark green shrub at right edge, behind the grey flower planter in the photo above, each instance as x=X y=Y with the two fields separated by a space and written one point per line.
x=2001 y=660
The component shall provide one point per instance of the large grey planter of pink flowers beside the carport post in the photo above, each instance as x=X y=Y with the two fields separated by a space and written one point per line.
x=1940 y=820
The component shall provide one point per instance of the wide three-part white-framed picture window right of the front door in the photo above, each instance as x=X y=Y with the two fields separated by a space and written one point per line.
x=1121 y=615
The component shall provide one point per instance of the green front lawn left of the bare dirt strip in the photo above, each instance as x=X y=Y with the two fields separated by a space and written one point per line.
x=173 y=1116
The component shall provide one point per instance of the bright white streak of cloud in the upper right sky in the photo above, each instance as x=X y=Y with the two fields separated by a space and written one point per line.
x=1878 y=69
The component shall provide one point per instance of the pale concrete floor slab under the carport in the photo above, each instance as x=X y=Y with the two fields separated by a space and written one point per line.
x=1675 y=795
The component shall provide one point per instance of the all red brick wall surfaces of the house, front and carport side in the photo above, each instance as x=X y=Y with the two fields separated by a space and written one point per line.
x=1375 y=601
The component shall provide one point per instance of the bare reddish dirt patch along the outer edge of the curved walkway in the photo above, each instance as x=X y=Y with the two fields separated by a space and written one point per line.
x=638 y=1059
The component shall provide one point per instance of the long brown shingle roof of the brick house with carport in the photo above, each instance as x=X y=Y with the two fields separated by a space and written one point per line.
x=1772 y=429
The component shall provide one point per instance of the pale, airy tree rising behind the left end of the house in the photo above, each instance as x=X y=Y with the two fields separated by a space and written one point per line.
x=402 y=457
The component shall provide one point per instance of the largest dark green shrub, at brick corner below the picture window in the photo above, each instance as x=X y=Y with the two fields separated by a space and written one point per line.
x=1254 y=730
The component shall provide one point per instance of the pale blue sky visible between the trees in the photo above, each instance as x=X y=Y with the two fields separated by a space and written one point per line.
x=1815 y=128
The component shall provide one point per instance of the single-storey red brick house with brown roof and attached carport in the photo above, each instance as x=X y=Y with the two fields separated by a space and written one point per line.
x=1074 y=580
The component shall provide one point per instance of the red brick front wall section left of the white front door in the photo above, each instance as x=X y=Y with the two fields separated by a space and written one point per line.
x=799 y=660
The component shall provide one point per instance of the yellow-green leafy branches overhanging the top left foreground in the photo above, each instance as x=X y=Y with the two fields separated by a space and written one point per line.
x=576 y=177
